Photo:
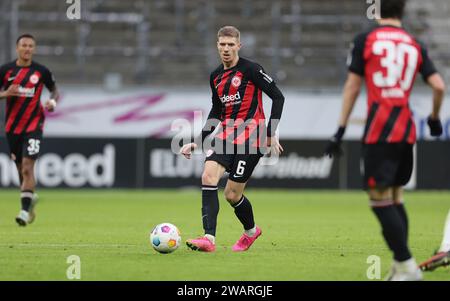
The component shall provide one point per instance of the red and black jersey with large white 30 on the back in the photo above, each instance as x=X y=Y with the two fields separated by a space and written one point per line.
x=389 y=59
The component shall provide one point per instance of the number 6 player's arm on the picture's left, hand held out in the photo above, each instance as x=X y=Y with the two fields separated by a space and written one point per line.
x=211 y=123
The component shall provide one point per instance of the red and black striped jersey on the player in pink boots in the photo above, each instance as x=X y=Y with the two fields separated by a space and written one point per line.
x=237 y=102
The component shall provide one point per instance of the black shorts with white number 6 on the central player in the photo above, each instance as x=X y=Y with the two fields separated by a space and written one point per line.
x=240 y=166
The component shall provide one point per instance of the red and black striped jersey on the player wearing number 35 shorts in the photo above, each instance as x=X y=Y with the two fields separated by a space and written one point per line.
x=24 y=113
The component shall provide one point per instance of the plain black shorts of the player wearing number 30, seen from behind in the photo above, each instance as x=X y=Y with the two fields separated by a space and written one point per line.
x=387 y=164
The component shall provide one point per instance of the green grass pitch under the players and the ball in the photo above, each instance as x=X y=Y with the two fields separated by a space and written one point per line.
x=307 y=235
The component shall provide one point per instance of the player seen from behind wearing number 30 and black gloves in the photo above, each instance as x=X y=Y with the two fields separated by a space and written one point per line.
x=388 y=59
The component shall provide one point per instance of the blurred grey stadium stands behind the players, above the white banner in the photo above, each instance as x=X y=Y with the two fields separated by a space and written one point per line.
x=301 y=42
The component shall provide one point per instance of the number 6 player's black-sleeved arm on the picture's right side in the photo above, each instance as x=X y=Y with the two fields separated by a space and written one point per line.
x=268 y=86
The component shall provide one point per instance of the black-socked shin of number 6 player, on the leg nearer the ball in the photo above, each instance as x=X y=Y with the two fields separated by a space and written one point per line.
x=210 y=210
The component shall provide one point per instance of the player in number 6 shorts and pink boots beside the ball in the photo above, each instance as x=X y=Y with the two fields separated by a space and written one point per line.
x=236 y=86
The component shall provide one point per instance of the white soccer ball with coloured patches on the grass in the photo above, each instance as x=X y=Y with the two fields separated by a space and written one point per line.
x=165 y=238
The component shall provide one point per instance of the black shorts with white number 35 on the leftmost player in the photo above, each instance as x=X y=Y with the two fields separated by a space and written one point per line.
x=24 y=145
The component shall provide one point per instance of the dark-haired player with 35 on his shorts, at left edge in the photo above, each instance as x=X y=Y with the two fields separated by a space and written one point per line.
x=23 y=81
